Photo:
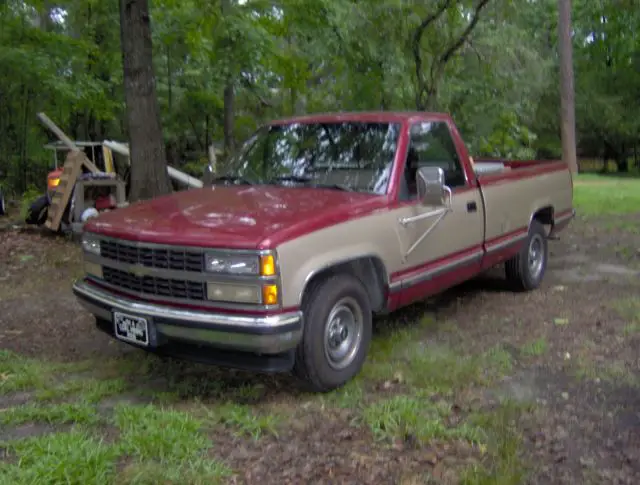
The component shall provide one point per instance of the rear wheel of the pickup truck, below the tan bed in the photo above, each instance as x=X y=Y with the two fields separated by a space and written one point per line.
x=525 y=271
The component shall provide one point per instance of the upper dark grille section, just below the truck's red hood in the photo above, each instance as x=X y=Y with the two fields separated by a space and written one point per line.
x=176 y=259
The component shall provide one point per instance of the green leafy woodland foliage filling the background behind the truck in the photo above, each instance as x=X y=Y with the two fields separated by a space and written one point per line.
x=300 y=56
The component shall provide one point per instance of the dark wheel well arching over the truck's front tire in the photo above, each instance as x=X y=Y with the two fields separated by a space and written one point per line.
x=369 y=270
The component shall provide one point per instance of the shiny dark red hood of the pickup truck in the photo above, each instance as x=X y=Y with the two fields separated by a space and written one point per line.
x=249 y=217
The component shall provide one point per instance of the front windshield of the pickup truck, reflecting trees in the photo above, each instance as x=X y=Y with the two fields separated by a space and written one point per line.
x=349 y=155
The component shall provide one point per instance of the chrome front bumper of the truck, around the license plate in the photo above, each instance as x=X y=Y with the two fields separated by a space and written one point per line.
x=270 y=334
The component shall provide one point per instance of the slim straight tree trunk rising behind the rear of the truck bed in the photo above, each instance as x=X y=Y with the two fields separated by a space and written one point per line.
x=568 y=117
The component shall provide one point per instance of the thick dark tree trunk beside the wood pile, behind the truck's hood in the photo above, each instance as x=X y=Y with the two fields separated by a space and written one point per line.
x=148 y=158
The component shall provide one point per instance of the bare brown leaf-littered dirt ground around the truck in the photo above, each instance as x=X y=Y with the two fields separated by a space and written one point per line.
x=575 y=345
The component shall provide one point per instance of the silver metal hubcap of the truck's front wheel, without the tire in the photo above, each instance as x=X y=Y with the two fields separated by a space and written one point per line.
x=343 y=333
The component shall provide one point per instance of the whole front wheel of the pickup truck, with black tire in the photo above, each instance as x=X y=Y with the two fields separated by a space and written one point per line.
x=315 y=364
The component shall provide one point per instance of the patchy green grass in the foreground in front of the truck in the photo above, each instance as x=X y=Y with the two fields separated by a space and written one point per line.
x=174 y=443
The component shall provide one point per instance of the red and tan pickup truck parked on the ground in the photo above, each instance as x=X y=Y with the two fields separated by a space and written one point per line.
x=317 y=225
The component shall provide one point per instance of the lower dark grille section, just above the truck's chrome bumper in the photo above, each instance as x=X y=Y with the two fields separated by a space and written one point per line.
x=152 y=285
